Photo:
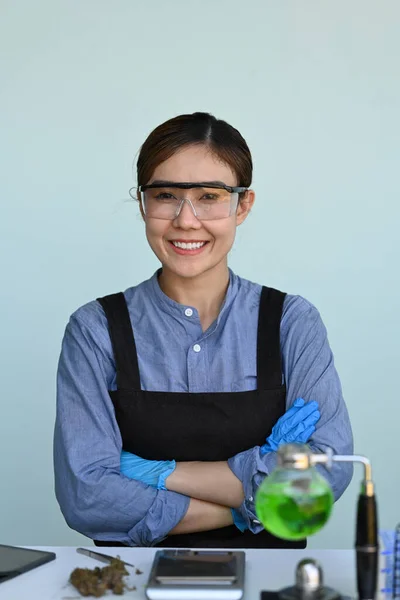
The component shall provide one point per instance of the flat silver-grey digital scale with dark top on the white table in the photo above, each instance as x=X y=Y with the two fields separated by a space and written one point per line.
x=196 y=575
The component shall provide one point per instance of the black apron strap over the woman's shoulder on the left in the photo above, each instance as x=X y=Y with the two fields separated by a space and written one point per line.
x=122 y=340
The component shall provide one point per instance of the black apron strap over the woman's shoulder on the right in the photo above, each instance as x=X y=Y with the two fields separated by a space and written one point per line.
x=269 y=362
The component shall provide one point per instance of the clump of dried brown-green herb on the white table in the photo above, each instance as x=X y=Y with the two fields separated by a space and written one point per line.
x=96 y=582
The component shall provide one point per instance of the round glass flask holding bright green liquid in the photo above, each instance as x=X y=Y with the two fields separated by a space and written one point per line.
x=294 y=507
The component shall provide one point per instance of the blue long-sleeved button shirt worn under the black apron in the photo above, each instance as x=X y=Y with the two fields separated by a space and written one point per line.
x=100 y=502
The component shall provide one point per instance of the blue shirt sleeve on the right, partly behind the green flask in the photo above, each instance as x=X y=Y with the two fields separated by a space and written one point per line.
x=309 y=373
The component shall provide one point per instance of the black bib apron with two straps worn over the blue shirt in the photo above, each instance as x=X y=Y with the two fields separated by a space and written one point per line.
x=195 y=426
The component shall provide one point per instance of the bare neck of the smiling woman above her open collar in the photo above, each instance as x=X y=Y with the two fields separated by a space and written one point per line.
x=206 y=292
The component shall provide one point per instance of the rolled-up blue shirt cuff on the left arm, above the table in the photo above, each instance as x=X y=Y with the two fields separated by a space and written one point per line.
x=167 y=510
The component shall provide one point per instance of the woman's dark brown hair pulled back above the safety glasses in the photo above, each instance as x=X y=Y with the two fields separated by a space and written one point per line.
x=223 y=140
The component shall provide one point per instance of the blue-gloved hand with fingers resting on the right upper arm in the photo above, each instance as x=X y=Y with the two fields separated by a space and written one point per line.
x=296 y=425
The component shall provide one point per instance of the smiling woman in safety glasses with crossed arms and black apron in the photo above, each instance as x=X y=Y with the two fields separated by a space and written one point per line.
x=174 y=396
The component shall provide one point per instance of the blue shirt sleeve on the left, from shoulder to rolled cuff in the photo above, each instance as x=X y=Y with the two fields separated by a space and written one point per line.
x=94 y=497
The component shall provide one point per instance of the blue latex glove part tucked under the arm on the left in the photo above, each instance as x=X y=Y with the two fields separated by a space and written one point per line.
x=151 y=472
